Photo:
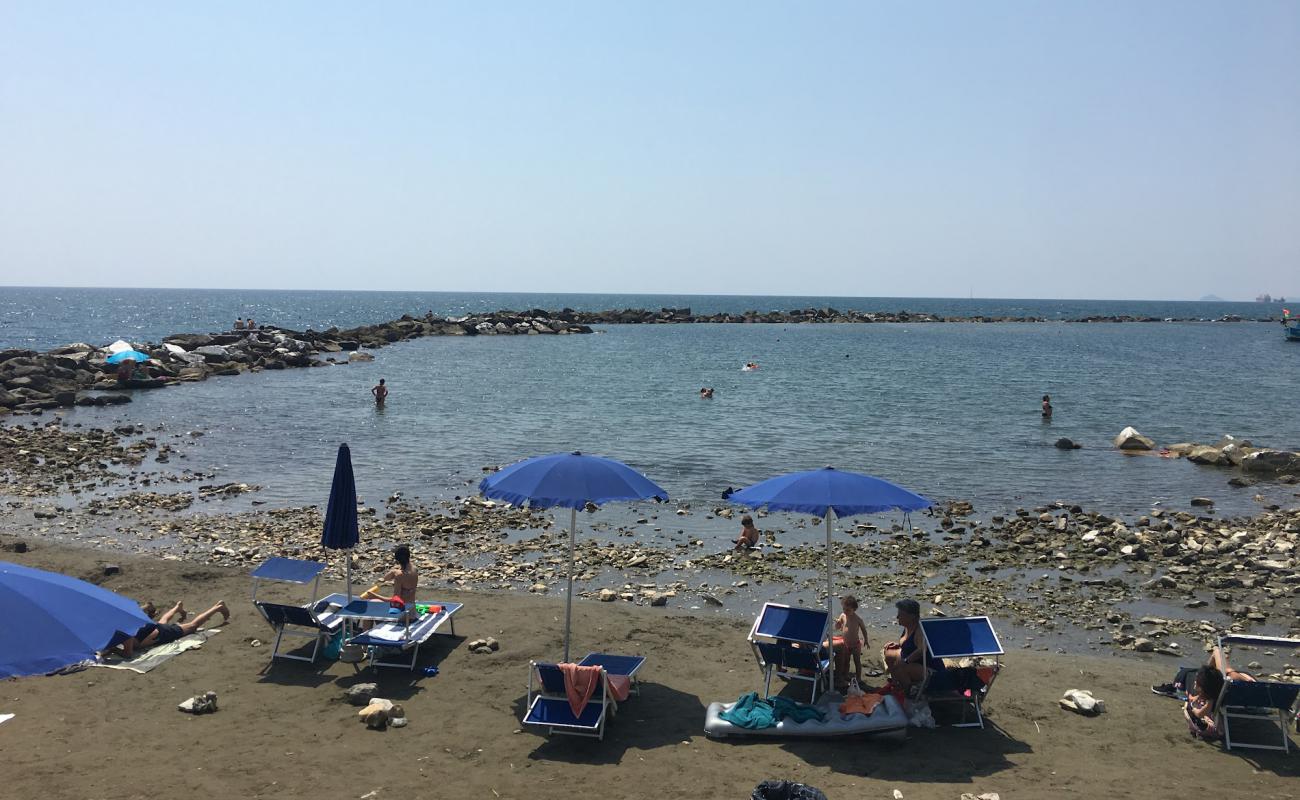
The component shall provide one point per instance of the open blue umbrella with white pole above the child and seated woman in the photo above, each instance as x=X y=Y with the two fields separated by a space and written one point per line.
x=827 y=494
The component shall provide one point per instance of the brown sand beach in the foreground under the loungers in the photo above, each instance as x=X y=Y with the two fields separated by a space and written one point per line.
x=285 y=732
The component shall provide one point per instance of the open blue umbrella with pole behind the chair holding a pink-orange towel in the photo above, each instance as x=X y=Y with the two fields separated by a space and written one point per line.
x=569 y=481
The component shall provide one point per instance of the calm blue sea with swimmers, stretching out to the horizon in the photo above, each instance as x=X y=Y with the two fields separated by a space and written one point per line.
x=951 y=412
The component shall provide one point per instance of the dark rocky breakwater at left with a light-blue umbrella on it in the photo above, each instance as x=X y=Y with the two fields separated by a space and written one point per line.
x=80 y=374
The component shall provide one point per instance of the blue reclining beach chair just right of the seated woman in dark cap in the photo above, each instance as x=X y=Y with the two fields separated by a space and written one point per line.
x=968 y=687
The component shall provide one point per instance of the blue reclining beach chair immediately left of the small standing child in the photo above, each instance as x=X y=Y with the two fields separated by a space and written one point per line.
x=787 y=642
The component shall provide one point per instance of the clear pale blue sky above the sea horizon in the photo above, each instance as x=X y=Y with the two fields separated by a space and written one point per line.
x=1076 y=150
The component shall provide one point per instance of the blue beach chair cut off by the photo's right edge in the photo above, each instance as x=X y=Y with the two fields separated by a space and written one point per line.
x=1262 y=702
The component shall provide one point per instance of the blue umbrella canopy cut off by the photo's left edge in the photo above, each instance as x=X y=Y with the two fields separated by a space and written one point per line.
x=51 y=621
